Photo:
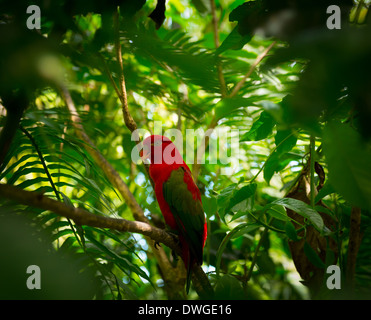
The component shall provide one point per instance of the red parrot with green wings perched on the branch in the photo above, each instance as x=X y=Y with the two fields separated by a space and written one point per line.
x=178 y=197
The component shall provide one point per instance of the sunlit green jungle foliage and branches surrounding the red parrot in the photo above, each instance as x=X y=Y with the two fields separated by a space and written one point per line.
x=74 y=203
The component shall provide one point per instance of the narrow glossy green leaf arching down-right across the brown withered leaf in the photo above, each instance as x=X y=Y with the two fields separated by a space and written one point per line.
x=304 y=210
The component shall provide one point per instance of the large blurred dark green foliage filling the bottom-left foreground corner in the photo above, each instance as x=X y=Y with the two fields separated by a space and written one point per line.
x=64 y=275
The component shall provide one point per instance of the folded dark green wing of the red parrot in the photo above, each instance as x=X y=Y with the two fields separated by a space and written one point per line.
x=187 y=211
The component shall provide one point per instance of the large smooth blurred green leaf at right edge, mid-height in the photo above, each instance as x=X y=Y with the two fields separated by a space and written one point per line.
x=349 y=164
